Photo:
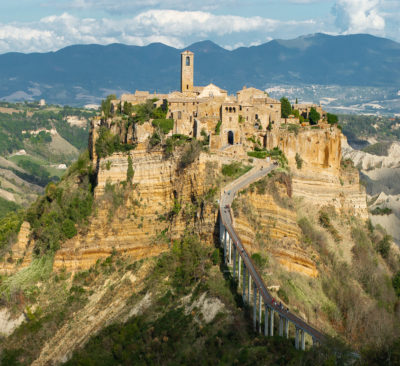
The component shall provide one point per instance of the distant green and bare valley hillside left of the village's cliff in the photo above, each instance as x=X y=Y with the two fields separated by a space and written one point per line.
x=37 y=144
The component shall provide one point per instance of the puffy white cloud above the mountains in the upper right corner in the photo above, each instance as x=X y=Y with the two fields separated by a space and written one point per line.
x=360 y=16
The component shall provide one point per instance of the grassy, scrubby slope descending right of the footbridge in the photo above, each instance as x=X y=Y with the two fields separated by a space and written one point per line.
x=353 y=296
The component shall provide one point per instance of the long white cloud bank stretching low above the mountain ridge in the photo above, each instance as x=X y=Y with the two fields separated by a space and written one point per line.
x=171 y=27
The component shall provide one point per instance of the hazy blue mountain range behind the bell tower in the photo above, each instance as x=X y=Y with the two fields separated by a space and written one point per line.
x=83 y=74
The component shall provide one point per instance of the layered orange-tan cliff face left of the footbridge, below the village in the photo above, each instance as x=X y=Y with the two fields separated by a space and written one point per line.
x=144 y=218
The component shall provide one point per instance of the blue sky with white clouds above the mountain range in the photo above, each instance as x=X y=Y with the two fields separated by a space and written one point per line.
x=49 y=25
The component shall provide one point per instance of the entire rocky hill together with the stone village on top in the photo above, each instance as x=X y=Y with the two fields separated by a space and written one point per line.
x=134 y=228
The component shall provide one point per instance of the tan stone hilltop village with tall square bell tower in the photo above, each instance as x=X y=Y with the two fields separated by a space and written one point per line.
x=208 y=111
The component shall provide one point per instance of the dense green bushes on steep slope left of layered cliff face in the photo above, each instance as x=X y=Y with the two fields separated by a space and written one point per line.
x=55 y=216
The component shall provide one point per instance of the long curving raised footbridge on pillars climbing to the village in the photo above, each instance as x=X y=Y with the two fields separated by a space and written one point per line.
x=254 y=292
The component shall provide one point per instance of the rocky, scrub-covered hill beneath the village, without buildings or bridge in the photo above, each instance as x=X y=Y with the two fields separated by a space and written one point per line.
x=120 y=263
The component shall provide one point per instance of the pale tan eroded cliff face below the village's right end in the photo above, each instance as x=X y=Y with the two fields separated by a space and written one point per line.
x=322 y=180
